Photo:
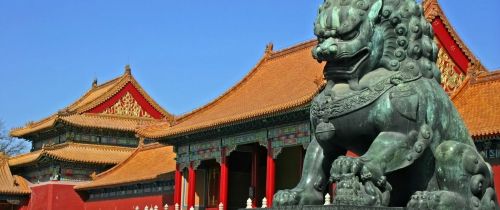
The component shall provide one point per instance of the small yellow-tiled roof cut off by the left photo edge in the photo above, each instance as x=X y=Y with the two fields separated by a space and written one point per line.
x=9 y=184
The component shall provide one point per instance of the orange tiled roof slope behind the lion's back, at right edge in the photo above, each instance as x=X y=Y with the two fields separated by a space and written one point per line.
x=478 y=101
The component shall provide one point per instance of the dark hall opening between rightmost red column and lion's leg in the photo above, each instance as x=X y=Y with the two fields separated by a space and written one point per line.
x=289 y=167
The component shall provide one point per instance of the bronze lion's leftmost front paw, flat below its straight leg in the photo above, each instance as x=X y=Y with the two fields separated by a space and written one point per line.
x=297 y=196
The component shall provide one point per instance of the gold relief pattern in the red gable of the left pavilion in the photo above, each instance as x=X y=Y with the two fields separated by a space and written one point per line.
x=127 y=106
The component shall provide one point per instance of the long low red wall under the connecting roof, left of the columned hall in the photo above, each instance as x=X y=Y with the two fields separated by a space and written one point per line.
x=130 y=203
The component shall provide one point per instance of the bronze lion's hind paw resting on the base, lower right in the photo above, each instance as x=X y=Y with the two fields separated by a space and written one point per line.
x=436 y=200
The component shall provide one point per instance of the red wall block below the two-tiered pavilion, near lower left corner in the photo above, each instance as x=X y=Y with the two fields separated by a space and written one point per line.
x=54 y=196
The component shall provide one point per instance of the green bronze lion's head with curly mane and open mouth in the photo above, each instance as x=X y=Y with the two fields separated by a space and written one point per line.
x=358 y=36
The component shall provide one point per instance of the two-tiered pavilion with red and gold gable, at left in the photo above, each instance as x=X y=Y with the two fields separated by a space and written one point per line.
x=89 y=136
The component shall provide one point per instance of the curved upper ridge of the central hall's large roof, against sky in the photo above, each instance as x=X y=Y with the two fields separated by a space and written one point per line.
x=227 y=92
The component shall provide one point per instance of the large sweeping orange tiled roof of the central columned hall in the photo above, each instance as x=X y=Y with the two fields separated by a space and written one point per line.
x=281 y=81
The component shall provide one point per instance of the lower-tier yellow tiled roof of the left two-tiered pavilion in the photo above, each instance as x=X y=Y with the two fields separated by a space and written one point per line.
x=75 y=152
